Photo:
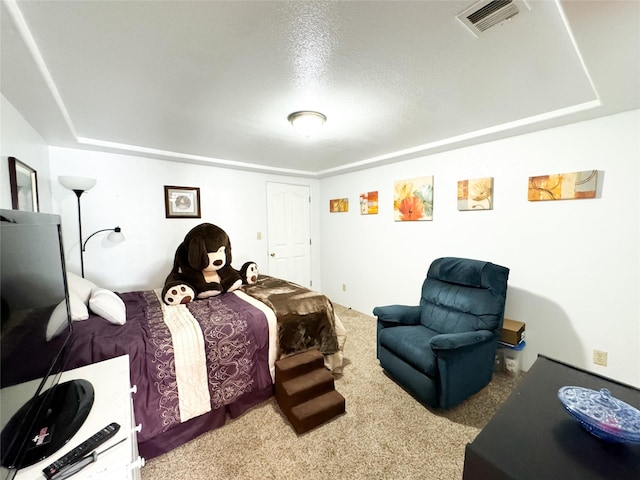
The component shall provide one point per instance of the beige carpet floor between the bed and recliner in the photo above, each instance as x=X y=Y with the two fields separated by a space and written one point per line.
x=384 y=434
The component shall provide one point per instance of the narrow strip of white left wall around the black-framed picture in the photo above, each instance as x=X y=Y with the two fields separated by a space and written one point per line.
x=18 y=139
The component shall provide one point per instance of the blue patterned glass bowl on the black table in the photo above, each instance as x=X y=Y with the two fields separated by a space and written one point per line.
x=602 y=415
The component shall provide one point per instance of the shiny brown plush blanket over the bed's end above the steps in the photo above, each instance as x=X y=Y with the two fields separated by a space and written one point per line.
x=305 y=318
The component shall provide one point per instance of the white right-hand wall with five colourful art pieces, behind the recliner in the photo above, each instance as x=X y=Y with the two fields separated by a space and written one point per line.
x=575 y=266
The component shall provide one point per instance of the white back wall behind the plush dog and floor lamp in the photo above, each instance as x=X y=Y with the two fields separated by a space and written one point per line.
x=130 y=193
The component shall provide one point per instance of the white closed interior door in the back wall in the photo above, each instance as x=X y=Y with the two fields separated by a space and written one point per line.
x=289 y=232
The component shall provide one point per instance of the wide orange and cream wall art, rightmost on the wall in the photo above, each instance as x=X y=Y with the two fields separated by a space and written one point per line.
x=563 y=186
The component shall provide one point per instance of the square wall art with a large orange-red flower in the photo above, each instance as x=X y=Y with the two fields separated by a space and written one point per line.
x=413 y=199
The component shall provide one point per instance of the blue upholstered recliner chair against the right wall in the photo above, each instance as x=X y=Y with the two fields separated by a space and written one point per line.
x=443 y=350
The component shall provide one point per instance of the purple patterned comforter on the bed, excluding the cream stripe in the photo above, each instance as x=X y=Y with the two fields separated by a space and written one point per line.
x=236 y=348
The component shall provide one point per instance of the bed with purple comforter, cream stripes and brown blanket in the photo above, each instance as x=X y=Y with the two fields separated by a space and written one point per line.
x=195 y=365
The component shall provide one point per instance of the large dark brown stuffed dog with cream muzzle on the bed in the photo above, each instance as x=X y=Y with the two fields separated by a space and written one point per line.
x=201 y=267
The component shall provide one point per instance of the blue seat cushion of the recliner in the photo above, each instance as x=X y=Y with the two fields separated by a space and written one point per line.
x=411 y=344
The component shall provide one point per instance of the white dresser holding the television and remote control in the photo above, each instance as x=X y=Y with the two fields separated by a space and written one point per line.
x=113 y=403
